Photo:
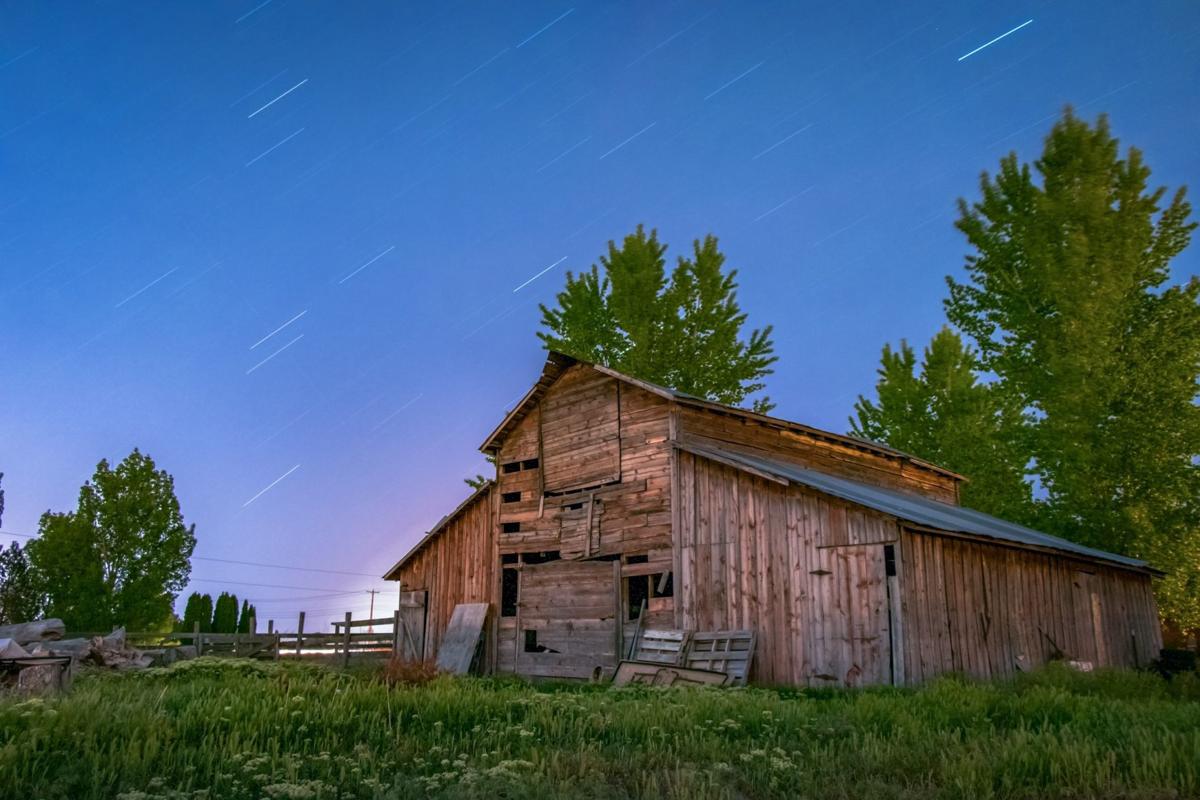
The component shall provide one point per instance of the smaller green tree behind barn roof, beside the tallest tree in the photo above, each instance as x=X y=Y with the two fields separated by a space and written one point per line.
x=946 y=416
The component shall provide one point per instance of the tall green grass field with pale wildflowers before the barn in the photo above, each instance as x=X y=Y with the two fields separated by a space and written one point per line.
x=212 y=729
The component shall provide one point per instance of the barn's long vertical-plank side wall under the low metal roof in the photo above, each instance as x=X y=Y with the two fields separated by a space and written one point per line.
x=989 y=611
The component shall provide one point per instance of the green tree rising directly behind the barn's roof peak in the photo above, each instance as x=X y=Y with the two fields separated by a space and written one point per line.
x=682 y=332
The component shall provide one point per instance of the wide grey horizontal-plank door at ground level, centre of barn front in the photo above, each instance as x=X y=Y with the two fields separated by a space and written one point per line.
x=567 y=619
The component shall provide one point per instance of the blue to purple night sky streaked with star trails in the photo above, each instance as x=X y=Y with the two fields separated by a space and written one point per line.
x=286 y=248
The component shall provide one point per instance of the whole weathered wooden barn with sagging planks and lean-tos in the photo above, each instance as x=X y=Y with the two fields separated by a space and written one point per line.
x=853 y=563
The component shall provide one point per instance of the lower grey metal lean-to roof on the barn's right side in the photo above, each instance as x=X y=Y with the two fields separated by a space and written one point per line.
x=910 y=508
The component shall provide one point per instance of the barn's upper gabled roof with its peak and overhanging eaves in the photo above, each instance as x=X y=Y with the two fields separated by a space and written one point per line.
x=559 y=363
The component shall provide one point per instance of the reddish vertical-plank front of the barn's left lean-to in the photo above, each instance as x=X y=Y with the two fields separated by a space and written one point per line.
x=457 y=567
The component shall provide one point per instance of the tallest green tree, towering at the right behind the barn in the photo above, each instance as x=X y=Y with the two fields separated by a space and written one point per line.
x=1070 y=303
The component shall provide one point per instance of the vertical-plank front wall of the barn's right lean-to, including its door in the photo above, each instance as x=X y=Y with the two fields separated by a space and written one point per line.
x=806 y=572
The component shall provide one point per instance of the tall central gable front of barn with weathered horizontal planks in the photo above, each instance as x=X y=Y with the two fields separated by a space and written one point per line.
x=604 y=453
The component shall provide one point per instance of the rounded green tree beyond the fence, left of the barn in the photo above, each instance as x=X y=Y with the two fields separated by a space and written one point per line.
x=121 y=557
